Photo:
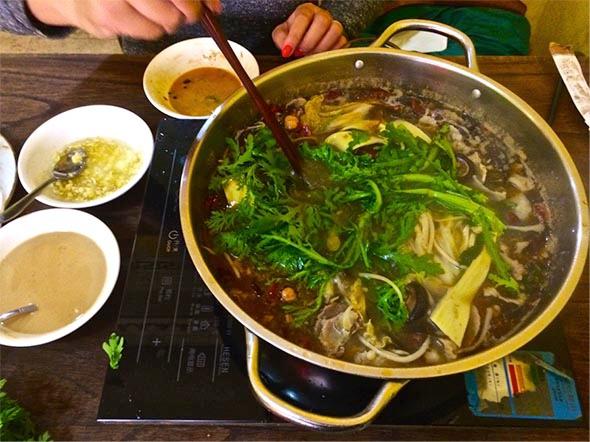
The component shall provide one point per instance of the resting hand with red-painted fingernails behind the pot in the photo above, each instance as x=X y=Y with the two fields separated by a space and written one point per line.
x=308 y=30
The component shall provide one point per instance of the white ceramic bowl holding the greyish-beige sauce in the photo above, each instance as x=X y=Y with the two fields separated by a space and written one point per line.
x=60 y=220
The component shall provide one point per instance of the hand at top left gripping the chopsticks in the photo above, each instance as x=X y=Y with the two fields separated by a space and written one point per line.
x=141 y=19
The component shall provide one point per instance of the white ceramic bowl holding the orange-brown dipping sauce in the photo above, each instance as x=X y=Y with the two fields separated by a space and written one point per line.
x=185 y=56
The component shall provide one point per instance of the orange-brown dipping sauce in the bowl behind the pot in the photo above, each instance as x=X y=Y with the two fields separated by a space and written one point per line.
x=201 y=90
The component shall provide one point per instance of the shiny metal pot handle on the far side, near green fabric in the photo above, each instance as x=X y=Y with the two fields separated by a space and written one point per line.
x=437 y=28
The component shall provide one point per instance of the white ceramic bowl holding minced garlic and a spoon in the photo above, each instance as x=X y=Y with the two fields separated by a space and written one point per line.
x=37 y=155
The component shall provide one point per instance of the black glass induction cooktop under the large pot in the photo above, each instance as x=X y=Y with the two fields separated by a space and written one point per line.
x=184 y=357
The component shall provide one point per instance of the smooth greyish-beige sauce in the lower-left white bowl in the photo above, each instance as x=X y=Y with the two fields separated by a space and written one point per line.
x=63 y=273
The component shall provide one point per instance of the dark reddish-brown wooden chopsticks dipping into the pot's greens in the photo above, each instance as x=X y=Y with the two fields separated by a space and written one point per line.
x=212 y=27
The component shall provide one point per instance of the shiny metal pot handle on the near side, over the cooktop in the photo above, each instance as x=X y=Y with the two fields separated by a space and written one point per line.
x=296 y=415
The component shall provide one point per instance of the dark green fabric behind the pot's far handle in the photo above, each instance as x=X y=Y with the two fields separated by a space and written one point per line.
x=493 y=31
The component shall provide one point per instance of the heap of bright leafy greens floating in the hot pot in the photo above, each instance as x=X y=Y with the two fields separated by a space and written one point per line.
x=370 y=202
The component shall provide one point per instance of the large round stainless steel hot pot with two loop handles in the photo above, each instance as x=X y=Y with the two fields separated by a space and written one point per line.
x=459 y=86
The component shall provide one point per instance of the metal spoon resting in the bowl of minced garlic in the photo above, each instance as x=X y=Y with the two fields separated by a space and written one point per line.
x=69 y=165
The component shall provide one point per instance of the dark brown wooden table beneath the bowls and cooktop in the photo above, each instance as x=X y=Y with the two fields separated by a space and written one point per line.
x=60 y=383
